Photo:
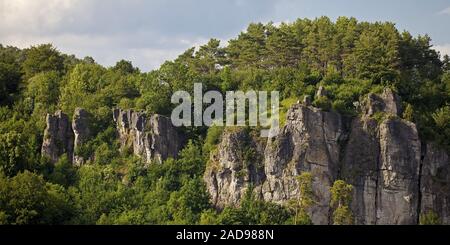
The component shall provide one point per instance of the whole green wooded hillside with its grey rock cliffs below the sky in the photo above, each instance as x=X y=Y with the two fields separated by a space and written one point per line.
x=85 y=144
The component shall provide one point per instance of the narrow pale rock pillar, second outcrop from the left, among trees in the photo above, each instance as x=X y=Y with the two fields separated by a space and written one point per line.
x=81 y=124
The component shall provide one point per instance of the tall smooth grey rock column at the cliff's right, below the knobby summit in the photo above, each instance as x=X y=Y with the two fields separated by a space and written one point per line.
x=398 y=192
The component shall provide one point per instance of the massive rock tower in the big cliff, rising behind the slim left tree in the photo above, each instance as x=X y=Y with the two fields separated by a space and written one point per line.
x=308 y=142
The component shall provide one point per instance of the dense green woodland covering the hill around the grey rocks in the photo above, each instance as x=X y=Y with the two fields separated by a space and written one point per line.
x=349 y=58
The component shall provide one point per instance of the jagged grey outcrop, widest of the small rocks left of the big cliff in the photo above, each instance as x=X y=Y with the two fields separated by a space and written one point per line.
x=152 y=137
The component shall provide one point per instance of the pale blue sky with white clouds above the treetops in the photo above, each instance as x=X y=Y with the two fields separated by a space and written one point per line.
x=149 y=32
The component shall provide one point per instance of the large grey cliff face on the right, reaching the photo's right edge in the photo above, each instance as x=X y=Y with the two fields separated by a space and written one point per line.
x=396 y=177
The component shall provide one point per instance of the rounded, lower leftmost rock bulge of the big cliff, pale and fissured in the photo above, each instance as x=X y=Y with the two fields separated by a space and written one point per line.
x=234 y=165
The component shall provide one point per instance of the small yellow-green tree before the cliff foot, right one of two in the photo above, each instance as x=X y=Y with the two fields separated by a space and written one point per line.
x=341 y=197
